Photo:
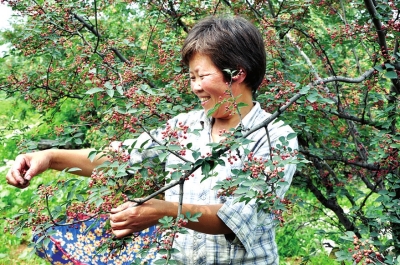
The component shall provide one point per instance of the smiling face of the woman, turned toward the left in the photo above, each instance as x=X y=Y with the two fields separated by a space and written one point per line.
x=207 y=82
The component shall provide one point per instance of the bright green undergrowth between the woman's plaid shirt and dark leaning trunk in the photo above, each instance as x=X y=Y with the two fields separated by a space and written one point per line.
x=301 y=239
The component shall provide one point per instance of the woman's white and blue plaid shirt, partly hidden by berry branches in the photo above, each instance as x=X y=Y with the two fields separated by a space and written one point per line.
x=254 y=241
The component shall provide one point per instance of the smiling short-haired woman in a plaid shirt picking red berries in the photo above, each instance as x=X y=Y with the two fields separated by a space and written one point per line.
x=226 y=232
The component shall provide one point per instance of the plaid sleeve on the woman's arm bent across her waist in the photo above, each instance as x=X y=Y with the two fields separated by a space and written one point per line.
x=243 y=219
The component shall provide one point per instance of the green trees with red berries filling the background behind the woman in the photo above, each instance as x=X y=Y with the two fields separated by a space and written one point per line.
x=99 y=71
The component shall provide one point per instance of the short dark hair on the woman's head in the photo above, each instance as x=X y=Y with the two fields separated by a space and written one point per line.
x=232 y=43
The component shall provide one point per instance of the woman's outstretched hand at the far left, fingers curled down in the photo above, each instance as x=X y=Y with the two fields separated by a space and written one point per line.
x=26 y=166
